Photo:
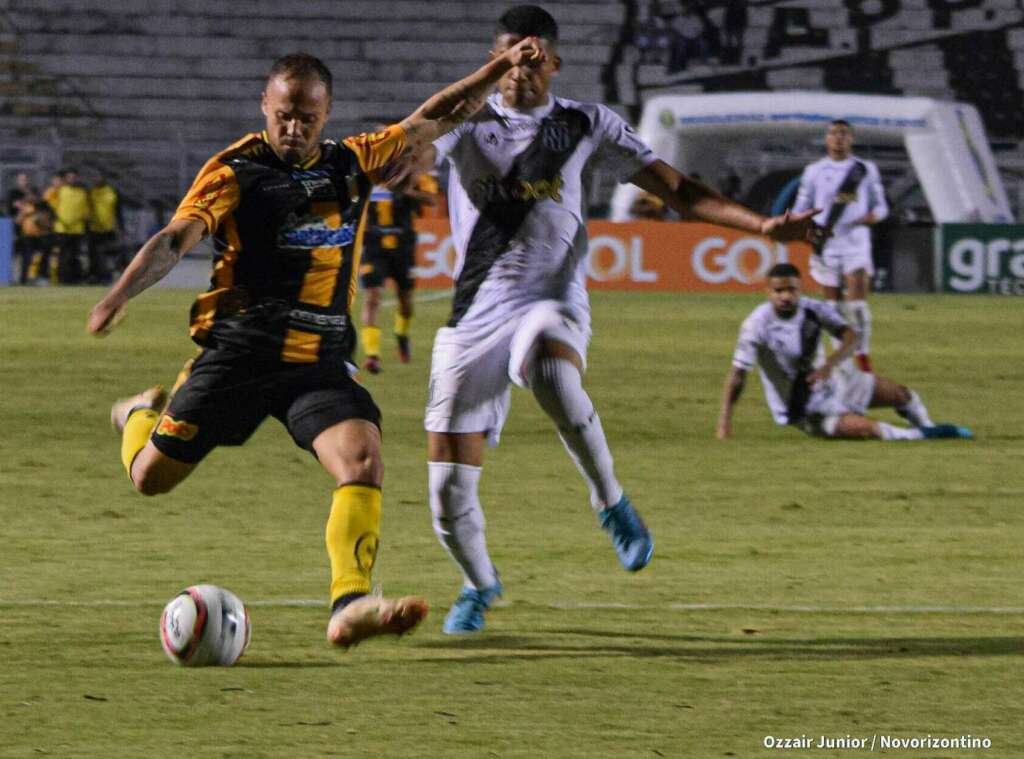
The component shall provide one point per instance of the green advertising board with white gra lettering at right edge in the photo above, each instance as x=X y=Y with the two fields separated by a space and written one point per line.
x=980 y=259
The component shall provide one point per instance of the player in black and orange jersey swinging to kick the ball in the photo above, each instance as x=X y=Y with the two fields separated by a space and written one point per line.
x=286 y=212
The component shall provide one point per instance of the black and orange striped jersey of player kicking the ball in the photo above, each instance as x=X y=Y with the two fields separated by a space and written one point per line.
x=287 y=241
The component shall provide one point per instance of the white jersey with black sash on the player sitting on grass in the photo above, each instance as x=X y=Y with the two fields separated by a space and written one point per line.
x=785 y=349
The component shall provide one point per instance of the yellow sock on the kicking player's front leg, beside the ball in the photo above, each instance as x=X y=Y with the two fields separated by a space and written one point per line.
x=353 y=537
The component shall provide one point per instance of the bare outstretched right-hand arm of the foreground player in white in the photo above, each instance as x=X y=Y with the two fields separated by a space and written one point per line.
x=692 y=200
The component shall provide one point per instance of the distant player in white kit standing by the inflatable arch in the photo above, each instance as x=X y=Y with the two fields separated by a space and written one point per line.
x=848 y=190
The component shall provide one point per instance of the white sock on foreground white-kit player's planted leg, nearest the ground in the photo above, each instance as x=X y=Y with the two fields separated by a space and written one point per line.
x=458 y=520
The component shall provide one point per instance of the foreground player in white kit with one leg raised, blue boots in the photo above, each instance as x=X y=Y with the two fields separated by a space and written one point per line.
x=521 y=312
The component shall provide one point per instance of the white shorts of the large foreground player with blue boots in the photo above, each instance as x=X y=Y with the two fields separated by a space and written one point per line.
x=472 y=368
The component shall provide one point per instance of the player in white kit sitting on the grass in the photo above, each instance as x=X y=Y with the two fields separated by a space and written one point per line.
x=823 y=397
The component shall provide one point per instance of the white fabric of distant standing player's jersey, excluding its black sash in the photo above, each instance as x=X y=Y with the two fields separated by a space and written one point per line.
x=820 y=186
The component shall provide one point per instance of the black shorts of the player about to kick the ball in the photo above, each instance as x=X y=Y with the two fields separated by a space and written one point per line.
x=228 y=396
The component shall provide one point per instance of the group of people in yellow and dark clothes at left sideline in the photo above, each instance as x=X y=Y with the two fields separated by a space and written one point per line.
x=70 y=233
